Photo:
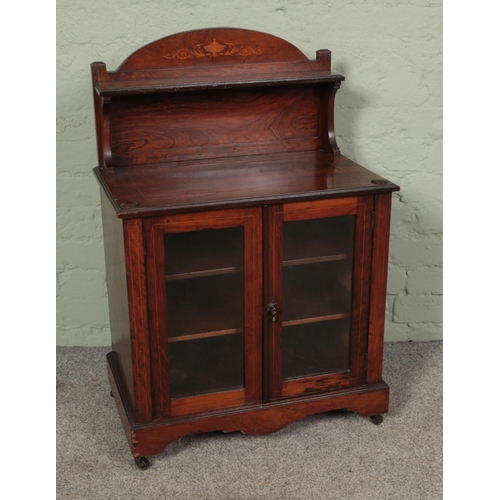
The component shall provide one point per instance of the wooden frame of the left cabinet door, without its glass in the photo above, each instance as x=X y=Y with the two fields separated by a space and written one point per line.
x=155 y=228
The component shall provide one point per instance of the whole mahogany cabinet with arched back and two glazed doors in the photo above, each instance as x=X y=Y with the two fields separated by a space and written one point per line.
x=246 y=258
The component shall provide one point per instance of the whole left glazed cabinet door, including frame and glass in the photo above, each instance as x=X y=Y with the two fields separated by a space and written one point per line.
x=204 y=274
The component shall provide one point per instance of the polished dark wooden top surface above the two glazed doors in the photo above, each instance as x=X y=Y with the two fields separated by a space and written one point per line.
x=237 y=181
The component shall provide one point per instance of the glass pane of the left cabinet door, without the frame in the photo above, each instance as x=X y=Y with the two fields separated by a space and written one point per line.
x=205 y=311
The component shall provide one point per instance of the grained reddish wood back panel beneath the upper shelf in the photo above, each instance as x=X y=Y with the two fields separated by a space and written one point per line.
x=155 y=129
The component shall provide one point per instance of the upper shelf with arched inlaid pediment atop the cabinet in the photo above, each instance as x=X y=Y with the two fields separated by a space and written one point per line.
x=213 y=58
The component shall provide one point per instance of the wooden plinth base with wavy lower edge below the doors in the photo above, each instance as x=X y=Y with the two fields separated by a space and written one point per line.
x=151 y=438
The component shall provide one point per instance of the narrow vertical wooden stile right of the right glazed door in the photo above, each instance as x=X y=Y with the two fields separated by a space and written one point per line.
x=380 y=257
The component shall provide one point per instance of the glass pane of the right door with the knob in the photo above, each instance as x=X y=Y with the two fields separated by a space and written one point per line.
x=317 y=280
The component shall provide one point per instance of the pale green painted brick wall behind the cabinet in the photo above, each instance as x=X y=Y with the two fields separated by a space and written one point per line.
x=388 y=119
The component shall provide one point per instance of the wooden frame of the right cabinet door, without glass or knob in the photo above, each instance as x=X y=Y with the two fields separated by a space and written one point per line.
x=274 y=218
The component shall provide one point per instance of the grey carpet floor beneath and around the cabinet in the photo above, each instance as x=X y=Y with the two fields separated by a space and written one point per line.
x=327 y=456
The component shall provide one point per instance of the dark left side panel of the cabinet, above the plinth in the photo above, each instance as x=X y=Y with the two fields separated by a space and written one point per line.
x=116 y=279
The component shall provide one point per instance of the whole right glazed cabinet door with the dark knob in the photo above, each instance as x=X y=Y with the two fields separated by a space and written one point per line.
x=317 y=269
